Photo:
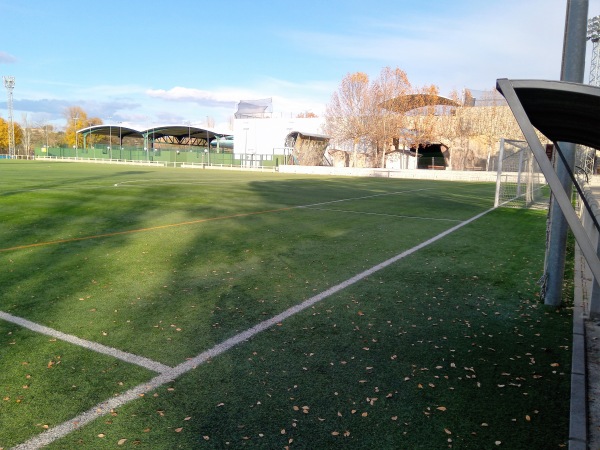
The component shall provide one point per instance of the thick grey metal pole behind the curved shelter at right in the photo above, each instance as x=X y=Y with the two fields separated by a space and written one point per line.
x=573 y=67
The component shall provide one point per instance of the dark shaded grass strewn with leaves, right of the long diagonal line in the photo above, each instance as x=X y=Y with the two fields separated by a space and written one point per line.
x=457 y=352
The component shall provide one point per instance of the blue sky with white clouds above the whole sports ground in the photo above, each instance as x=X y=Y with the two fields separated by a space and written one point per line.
x=146 y=63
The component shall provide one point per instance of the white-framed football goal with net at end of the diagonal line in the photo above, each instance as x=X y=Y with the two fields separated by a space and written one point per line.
x=520 y=182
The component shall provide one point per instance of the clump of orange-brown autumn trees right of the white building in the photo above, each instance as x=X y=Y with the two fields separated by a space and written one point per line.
x=376 y=114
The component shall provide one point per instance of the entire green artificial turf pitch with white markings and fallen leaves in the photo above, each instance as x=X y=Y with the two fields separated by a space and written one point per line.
x=158 y=308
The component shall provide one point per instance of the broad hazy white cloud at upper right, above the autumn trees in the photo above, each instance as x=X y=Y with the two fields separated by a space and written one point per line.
x=472 y=49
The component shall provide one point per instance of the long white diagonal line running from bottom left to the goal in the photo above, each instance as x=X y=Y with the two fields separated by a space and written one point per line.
x=105 y=407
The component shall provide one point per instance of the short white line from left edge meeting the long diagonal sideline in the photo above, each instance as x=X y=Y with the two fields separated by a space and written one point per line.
x=115 y=353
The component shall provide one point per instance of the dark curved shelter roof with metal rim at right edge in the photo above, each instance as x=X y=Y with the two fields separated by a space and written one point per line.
x=561 y=111
